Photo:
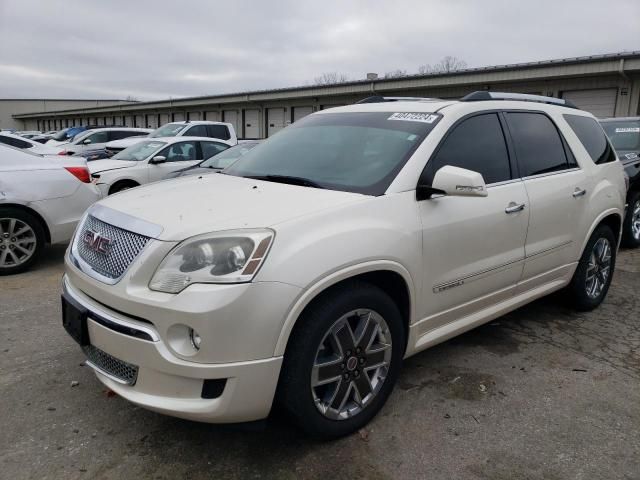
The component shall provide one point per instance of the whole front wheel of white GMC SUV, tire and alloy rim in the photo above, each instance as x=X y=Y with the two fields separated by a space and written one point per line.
x=343 y=360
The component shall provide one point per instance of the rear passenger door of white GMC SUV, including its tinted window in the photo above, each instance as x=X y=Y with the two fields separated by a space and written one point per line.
x=557 y=190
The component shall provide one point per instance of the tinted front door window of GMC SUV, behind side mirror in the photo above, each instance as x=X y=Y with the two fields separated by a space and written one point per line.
x=476 y=144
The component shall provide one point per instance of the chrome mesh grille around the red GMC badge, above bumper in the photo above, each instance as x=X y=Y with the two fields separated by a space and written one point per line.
x=113 y=258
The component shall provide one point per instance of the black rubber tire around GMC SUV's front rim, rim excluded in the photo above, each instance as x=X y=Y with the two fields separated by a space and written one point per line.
x=295 y=387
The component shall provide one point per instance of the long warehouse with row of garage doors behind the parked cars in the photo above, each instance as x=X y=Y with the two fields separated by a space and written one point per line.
x=606 y=85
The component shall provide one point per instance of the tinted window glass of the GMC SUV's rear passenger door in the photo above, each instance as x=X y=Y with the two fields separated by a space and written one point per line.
x=538 y=145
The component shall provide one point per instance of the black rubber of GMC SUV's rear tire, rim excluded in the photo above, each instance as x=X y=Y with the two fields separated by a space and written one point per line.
x=580 y=298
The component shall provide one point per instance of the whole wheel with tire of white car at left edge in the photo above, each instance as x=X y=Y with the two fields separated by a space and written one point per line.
x=22 y=240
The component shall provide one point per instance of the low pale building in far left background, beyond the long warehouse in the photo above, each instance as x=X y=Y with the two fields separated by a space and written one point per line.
x=9 y=108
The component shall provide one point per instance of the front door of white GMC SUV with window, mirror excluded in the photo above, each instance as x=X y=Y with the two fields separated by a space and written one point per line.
x=473 y=247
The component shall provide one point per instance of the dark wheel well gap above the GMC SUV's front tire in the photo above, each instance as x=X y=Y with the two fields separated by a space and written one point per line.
x=392 y=283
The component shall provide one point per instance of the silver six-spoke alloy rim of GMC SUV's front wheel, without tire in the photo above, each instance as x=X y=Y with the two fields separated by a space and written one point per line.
x=351 y=364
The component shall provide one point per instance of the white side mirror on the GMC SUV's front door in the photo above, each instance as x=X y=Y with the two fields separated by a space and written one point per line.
x=455 y=182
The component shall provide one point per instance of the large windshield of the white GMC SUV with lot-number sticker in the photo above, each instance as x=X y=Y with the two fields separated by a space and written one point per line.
x=352 y=152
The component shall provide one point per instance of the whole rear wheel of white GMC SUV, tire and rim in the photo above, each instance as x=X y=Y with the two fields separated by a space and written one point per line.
x=592 y=278
